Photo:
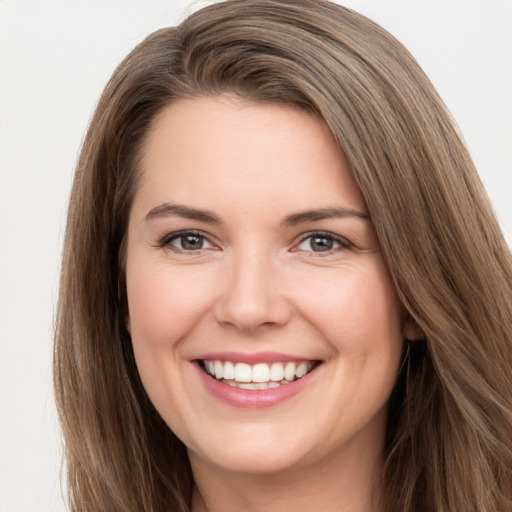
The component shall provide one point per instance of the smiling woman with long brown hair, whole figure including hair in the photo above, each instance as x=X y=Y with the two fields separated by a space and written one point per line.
x=283 y=284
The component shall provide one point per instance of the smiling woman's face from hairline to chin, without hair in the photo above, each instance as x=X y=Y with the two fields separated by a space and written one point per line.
x=251 y=260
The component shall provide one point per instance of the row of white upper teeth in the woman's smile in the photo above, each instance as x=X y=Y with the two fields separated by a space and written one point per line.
x=261 y=372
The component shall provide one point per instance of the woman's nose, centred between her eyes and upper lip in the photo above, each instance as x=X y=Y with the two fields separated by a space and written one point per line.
x=252 y=297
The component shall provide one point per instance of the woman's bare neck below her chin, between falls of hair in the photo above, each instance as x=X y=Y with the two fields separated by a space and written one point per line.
x=347 y=481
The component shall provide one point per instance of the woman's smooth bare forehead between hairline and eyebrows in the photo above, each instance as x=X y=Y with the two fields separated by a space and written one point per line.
x=227 y=152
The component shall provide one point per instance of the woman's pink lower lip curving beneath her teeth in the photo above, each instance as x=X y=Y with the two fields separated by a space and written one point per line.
x=254 y=398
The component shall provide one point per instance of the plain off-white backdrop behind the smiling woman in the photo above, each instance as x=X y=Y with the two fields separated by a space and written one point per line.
x=55 y=57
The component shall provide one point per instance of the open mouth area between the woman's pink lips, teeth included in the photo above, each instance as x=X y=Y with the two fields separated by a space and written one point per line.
x=257 y=376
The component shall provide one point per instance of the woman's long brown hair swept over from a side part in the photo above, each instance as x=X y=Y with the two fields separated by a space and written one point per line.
x=449 y=433
